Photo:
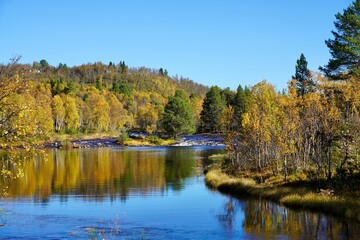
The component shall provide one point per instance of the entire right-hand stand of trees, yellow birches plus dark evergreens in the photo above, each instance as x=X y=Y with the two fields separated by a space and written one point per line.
x=310 y=131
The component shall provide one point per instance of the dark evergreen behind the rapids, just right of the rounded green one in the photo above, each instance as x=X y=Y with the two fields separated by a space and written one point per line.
x=213 y=107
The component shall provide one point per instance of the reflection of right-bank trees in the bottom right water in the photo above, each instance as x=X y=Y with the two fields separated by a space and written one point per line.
x=267 y=220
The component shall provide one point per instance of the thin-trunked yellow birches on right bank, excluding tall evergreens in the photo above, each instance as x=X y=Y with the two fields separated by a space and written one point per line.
x=309 y=135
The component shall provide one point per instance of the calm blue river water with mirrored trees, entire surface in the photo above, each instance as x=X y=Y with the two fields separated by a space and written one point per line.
x=142 y=193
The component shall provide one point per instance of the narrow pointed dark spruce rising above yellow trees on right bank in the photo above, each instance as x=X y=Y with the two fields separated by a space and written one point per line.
x=303 y=81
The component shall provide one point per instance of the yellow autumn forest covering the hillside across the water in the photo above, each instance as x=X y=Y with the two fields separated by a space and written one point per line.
x=37 y=100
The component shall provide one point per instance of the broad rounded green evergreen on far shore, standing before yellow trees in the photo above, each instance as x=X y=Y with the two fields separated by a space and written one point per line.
x=178 y=116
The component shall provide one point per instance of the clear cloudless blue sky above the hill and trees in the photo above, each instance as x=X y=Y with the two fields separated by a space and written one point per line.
x=224 y=43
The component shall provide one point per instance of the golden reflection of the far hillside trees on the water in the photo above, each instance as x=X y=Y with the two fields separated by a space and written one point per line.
x=103 y=172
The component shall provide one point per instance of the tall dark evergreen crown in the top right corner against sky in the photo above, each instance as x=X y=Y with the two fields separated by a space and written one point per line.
x=345 y=47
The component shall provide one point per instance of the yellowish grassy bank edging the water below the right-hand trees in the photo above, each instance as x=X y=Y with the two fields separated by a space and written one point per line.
x=290 y=196
